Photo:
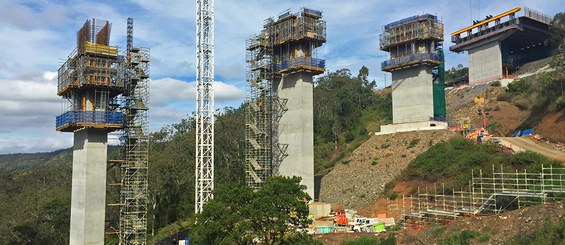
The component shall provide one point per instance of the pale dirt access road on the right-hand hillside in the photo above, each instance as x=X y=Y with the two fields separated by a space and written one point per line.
x=526 y=143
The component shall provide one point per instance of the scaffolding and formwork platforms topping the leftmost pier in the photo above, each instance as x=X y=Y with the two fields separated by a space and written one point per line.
x=88 y=82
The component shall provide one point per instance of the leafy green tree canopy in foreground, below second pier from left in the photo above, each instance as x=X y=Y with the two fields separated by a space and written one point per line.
x=238 y=215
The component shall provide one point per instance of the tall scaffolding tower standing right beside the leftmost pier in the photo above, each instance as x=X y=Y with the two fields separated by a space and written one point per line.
x=135 y=143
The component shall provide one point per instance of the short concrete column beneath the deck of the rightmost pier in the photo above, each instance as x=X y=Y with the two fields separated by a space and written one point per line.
x=485 y=62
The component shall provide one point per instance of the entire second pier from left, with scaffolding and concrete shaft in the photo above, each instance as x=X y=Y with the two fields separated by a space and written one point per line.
x=279 y=132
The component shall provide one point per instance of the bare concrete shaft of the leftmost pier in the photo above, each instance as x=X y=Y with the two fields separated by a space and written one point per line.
x=88 y=200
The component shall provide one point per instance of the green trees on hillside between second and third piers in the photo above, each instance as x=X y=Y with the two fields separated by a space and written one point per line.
x=346 y=110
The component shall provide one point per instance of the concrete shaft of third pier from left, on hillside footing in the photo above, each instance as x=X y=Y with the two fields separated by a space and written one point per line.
x=412 y=95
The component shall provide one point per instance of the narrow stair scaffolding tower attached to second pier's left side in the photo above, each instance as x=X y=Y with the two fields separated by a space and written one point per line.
x=259 y=107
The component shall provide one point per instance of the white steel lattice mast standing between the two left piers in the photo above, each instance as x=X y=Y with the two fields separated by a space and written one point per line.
x=204 y=103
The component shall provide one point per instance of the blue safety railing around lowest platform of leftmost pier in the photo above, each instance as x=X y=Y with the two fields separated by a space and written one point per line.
x=90 y=117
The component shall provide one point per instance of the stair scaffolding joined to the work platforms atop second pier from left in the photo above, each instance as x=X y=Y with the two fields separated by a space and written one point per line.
x=284 y=46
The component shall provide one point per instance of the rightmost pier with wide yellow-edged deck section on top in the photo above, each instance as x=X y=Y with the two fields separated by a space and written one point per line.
x=498 y=46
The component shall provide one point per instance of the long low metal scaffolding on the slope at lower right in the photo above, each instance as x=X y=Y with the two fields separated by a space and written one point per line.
x=487 y=194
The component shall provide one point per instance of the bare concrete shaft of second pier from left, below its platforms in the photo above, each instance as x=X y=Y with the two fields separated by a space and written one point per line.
x=296 y=127
